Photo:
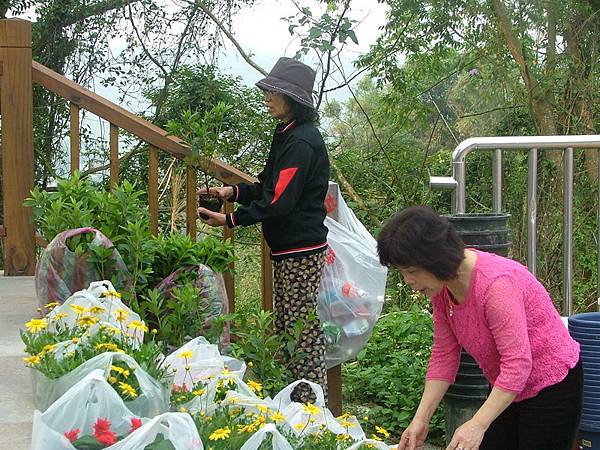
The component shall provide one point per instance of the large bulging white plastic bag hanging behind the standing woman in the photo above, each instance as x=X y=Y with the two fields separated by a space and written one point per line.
x=352 y=289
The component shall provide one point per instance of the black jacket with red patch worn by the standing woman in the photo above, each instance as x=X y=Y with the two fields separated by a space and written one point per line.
x=288 y=198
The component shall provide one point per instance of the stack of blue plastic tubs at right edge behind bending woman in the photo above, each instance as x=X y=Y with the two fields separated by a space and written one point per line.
x=585 y=329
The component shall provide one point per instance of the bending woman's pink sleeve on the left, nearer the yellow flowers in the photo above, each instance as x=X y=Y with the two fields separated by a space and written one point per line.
x=445 y=354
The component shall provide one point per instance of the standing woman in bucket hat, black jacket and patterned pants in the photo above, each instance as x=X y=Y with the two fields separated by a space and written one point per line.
x=288 y=201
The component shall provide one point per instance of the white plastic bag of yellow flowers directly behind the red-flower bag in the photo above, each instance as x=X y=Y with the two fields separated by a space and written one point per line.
x=151 y=401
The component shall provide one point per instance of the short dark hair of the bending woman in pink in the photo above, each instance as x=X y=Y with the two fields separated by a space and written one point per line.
x=420 y=237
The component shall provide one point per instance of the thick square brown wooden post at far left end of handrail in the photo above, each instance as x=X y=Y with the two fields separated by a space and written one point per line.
x=17 y=145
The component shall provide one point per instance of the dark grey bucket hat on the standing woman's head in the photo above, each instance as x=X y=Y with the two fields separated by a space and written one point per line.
x=292 y=78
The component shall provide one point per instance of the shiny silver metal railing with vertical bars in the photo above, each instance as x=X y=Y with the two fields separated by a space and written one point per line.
x=567 y=144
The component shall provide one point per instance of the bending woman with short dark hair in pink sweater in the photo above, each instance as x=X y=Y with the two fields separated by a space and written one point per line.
x=503 y=317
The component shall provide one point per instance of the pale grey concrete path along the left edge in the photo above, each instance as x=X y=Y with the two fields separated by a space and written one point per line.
x=18 y=305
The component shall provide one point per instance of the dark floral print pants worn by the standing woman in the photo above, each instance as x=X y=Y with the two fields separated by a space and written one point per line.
x=295 y=298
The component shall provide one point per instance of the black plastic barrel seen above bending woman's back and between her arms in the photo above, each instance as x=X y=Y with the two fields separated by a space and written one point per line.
x=486 y=232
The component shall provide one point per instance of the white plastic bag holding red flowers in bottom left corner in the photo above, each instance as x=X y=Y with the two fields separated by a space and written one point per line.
x=92 y=399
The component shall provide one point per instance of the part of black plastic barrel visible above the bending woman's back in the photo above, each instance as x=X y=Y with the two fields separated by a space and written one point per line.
x=487 y=232
